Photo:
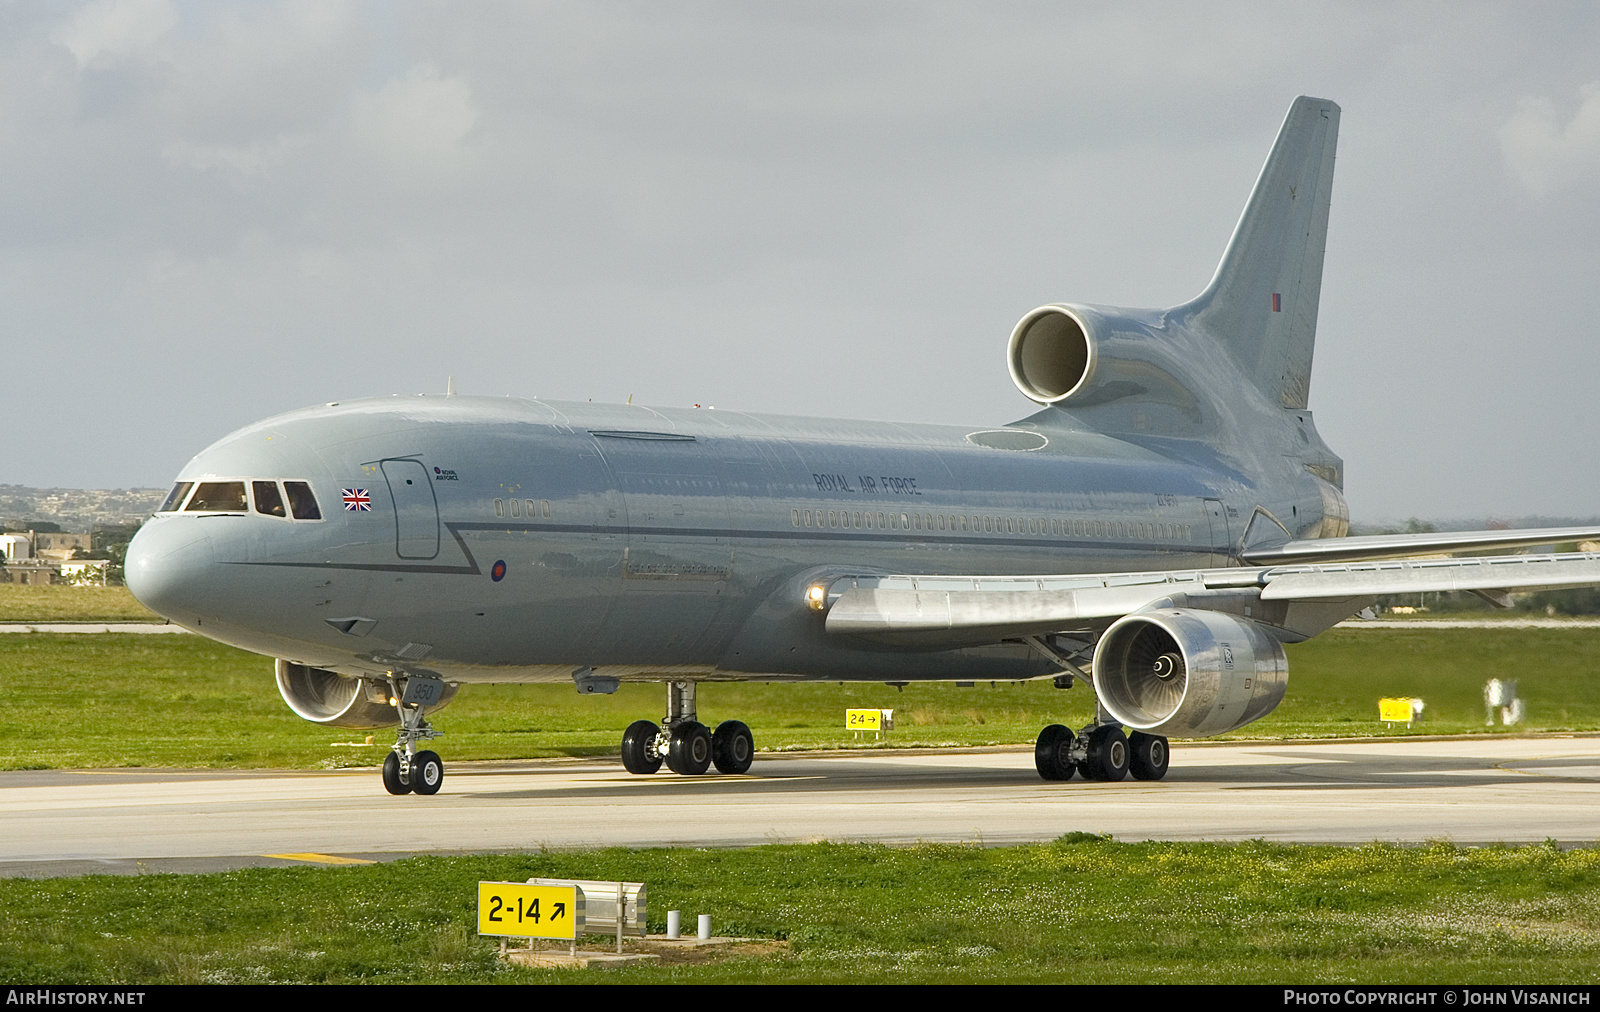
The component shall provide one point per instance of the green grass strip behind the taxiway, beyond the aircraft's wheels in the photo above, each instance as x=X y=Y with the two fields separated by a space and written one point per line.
x=94 y=701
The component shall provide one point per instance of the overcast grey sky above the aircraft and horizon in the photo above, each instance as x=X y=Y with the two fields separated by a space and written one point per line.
x=218 y=212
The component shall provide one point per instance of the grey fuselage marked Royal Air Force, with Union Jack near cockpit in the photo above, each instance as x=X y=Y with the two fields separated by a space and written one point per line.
x=495 y=539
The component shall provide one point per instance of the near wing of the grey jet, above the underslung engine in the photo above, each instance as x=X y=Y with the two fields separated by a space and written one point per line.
x=1295 y=601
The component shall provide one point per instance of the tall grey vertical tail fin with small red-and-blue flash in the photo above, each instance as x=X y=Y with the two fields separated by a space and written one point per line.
x=1262 y=307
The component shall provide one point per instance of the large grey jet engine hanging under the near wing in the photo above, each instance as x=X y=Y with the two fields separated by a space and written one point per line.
x=1188 y=673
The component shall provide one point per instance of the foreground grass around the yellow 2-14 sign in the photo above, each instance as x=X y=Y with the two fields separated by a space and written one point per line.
x=1078 y=910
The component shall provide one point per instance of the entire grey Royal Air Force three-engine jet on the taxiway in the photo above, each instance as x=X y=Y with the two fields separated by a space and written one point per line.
x=1161 y=529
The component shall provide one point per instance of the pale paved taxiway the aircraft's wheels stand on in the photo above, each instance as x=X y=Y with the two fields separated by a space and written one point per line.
x=1465 y=790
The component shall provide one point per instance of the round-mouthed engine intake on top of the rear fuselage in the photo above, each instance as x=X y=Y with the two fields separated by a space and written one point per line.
x=1084 y=358
